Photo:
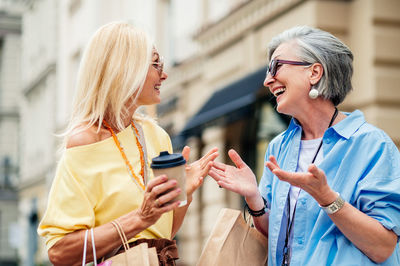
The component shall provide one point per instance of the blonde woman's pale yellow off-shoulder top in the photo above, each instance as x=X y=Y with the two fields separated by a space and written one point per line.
x=92 y=185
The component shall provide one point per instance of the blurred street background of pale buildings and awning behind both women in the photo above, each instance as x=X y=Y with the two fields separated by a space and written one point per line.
x=215 y=52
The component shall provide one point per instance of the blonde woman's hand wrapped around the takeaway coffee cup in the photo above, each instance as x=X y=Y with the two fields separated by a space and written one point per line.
x=158 y=199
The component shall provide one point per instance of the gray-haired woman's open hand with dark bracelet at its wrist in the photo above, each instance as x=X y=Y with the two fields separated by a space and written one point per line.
x=239 y=179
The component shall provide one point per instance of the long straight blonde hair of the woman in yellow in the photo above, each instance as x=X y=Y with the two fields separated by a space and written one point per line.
x=113 y=69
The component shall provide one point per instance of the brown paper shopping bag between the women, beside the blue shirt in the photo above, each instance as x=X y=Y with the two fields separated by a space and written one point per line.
x=234 y=242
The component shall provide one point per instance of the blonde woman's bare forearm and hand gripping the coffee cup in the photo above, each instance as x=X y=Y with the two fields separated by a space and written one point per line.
x=157 y=200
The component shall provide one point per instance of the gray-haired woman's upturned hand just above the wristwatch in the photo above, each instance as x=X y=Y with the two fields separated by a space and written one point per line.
x=313 y=182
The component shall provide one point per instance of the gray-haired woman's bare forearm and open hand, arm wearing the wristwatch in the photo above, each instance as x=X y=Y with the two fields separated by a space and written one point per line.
x=378 y=244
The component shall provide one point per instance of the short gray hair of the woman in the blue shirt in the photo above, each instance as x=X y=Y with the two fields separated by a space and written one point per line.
x=318 y=46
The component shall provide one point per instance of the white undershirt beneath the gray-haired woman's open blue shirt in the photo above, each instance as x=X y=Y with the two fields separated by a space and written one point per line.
x=308 y=148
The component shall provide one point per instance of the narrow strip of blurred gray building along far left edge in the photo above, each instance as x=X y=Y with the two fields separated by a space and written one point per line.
x=10 y=75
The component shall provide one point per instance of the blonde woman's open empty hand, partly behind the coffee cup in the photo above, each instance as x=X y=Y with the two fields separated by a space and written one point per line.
x=198 y=170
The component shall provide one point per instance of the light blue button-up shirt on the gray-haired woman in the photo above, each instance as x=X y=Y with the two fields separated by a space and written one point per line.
x=361 y=163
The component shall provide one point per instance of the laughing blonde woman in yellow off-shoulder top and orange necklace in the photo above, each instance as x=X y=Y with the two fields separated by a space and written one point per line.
x=103 y=175
